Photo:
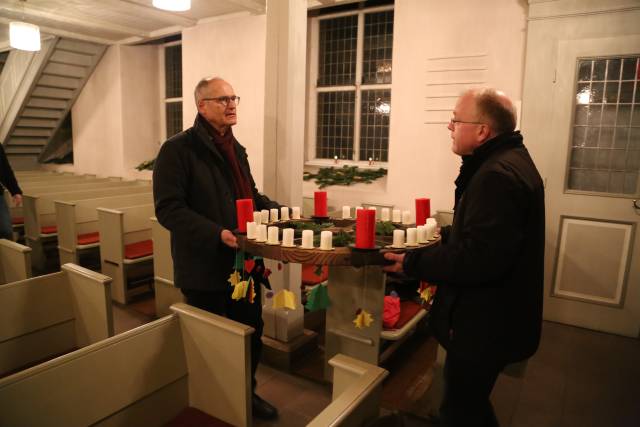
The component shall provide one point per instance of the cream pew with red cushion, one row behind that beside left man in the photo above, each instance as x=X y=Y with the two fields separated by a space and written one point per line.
x=77 y=222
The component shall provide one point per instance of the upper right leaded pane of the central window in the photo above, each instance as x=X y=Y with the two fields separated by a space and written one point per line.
x=378 y=44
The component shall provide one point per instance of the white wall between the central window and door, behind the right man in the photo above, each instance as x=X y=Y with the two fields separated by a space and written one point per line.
x=421 y=163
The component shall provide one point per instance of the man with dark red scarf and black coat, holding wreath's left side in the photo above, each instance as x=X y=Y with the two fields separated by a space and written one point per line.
x=197 y=177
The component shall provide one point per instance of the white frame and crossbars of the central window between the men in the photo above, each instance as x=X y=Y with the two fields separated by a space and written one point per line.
x=313 y=89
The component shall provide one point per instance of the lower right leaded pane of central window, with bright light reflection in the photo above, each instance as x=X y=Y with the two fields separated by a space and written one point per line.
x=374 y=124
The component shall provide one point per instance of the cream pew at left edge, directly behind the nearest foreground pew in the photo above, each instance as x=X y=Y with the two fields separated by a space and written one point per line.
x=52 y=314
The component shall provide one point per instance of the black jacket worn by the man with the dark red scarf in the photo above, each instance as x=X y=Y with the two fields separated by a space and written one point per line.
x=195 y=201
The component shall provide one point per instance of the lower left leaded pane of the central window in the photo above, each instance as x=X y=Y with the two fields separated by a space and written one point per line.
x=335 y=125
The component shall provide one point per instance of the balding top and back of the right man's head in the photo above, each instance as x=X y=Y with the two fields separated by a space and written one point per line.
x=494 y=108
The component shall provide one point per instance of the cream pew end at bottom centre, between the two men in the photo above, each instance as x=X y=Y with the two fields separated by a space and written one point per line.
x=357 y=391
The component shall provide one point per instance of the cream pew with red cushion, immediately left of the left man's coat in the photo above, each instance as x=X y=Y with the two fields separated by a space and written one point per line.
x=126 y=248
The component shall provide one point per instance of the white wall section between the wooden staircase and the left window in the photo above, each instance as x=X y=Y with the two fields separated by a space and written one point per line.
x=116 y=117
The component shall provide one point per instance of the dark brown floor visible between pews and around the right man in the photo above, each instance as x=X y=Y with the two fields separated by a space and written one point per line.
x=577 y=378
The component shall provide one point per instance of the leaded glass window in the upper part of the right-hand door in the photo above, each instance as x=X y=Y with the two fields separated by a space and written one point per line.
x=605 y=146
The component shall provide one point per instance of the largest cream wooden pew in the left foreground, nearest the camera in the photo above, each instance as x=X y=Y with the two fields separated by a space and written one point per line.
x=143 y=377
